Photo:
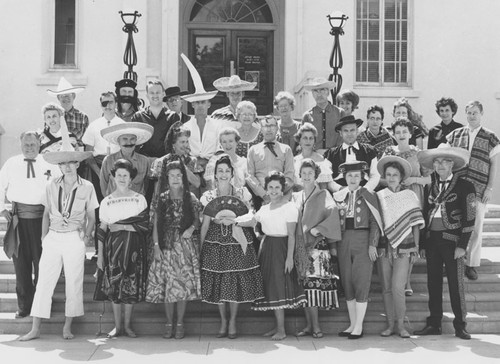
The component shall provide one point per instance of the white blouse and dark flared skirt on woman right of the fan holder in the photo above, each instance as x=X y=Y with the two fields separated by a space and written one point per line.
x=281 y=290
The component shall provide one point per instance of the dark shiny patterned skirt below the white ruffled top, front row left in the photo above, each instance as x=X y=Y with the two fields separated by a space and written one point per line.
x=125 y=268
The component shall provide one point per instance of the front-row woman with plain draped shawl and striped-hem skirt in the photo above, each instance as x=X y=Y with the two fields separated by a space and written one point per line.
x=318 y=230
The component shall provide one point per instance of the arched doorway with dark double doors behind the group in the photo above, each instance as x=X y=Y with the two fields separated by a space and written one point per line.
x=226 y=37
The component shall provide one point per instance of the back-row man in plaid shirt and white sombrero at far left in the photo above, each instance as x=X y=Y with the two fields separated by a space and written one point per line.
x=76 y=120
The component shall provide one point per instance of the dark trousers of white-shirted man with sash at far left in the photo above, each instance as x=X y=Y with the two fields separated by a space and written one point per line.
x=26 y=261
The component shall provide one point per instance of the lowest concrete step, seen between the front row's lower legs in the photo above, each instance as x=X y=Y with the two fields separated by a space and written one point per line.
x=331 y=323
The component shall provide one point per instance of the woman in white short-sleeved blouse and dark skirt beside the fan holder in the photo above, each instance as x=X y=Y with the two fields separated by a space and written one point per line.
x=281 y=287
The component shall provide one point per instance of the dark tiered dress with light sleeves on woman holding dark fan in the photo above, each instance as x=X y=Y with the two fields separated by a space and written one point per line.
x=227 y=273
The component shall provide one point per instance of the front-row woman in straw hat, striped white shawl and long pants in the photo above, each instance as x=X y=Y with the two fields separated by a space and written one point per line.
x=403 y=219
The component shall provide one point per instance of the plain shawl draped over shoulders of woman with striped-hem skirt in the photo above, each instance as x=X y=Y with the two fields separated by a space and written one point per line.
x=318 y=211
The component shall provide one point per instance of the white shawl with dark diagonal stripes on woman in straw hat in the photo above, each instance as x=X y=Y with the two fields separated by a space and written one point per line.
x=400 y=212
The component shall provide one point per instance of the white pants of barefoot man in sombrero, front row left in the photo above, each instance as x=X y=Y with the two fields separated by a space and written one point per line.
x=60 y=250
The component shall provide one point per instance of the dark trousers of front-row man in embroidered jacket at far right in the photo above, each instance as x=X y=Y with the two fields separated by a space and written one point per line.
x=439 y=251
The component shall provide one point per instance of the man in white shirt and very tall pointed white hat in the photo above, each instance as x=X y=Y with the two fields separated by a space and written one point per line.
x=204 y=139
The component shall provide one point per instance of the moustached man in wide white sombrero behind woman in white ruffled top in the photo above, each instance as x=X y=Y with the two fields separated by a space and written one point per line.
x=127 y=136
